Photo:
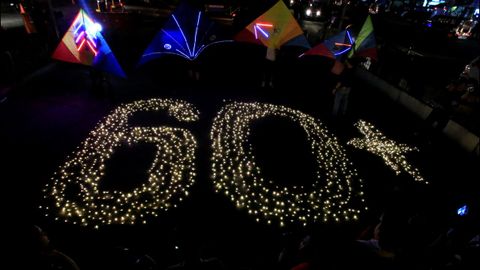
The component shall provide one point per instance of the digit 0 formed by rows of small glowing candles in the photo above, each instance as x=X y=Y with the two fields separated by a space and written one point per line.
x=236 y=174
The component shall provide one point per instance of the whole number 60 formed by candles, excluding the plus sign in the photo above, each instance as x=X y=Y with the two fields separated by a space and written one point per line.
x=235 y=173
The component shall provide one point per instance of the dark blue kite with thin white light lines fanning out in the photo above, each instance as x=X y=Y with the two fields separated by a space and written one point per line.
x=186 y=33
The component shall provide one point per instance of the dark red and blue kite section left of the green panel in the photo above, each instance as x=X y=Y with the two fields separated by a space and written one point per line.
x=335 y=47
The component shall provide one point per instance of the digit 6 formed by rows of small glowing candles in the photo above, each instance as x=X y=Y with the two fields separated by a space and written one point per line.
x=170 y=175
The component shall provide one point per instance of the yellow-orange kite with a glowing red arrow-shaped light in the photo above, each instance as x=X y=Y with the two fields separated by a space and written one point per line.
x=274 y=28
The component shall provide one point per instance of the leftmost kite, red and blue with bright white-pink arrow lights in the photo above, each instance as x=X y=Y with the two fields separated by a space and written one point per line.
x=83 y=44
